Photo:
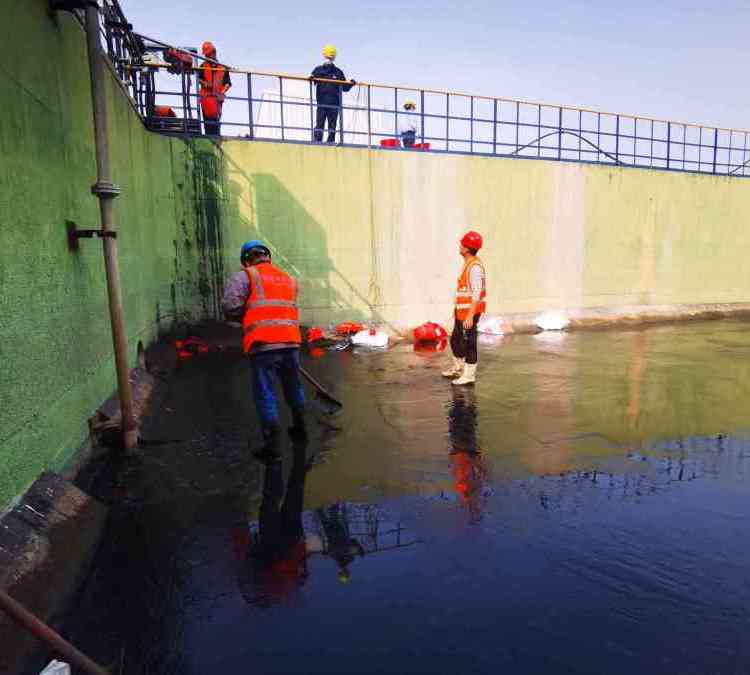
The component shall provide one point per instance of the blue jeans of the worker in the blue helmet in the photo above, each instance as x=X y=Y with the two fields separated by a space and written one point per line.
x=285 y=364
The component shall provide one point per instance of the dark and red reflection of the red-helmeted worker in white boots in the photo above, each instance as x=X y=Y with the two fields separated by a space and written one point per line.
x=467 y=463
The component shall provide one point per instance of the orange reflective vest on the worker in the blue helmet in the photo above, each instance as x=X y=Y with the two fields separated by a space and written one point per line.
x=271 y=312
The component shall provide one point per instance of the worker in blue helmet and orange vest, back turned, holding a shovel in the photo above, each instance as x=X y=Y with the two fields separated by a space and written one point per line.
x=264 y=298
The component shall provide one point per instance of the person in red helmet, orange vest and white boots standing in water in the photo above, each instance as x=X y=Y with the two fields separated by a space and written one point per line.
x=469 y=307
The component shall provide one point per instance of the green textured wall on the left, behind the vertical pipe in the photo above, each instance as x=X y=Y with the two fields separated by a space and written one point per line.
x=56 y=362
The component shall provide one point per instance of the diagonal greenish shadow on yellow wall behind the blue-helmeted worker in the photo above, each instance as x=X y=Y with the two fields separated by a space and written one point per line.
x=261 y=207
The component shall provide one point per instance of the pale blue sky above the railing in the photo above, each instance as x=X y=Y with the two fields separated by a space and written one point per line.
x=680 y=60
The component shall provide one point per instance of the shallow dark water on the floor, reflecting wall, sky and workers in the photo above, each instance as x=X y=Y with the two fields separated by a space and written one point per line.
x=583 y=509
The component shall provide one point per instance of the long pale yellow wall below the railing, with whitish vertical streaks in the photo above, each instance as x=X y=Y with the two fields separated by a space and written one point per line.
x=374 y=234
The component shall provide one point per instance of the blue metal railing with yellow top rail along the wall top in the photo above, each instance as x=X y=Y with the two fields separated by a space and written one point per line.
x=281 y=107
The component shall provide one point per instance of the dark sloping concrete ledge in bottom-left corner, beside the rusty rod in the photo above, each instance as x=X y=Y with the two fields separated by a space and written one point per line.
x=46 y=545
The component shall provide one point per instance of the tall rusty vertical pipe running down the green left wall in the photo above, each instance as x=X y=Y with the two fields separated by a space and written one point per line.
x=106 y=191
